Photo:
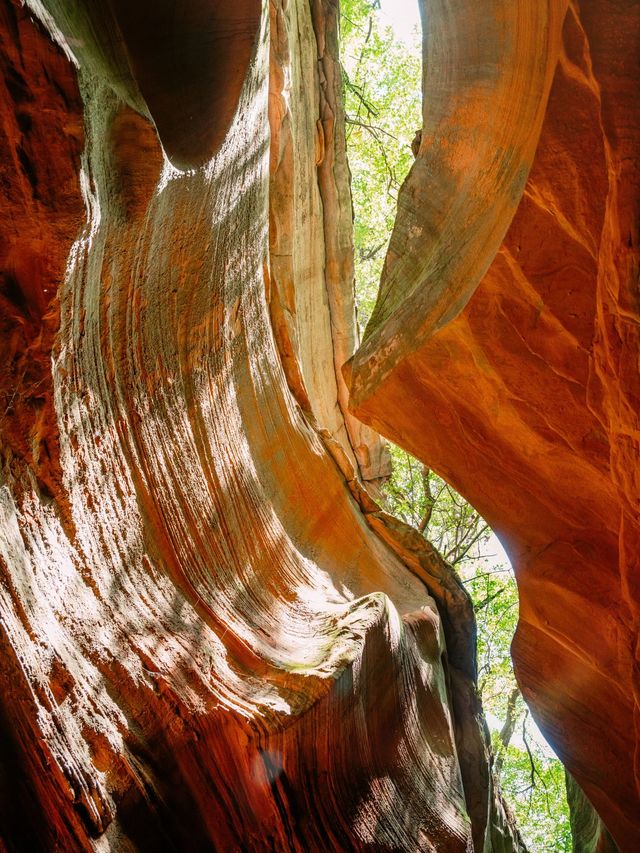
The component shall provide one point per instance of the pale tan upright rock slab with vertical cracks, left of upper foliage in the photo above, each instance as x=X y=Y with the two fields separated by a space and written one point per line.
x=311 y=292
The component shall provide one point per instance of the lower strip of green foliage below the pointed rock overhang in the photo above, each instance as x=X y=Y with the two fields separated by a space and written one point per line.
x=530 y=776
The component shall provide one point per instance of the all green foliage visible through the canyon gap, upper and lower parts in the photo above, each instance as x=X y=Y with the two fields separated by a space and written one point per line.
x=382 y=84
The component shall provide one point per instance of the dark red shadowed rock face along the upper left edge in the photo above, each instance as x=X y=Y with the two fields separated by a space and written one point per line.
x=41 y=137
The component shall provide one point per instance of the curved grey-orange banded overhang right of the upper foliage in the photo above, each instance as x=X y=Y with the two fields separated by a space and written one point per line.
x=487 y=70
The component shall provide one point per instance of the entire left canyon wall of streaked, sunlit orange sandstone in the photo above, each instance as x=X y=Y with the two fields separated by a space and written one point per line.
x=210 y=635
